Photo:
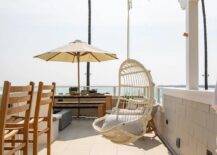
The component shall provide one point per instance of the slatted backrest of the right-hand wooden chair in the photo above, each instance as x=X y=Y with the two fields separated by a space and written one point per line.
x=45 y=96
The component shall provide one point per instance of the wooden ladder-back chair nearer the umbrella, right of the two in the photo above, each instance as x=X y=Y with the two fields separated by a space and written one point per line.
x=45 y=97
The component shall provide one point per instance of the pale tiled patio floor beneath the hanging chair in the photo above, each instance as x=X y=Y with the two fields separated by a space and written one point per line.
x=80 y=139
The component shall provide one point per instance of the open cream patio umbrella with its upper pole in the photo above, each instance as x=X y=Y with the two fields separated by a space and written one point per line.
x=76 y=52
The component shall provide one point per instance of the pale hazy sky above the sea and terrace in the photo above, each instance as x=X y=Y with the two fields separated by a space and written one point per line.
x=31 y=27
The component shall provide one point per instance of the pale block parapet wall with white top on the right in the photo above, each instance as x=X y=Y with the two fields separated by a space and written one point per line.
x=188 y=116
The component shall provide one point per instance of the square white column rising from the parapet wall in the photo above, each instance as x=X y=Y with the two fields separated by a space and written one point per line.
x=192 y=65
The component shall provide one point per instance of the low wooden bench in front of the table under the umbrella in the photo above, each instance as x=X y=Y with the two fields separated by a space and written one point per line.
x=101 y=102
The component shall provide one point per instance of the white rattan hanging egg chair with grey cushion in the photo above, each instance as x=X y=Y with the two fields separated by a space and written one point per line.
x=128 y=120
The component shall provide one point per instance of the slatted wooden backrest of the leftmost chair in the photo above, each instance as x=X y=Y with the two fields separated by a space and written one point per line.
x=10 y=96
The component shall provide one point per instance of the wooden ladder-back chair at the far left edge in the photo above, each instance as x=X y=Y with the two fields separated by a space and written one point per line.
x=15 y=100
